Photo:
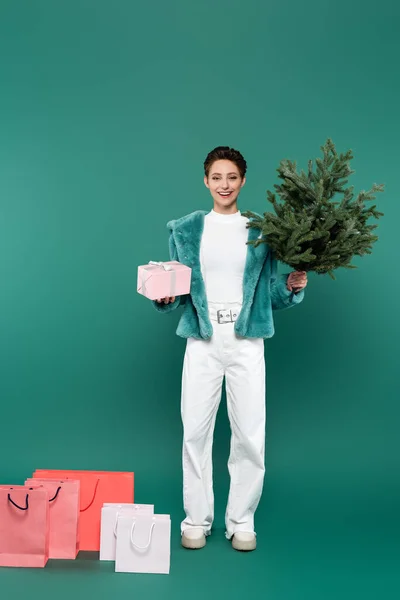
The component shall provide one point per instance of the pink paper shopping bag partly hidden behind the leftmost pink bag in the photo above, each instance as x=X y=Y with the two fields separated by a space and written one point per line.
x=64 y=515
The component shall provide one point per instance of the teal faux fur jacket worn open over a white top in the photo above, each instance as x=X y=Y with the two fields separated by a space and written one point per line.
x=263 y=290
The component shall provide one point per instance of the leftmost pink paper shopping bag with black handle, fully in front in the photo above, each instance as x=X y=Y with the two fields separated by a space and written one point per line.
x=24 y=526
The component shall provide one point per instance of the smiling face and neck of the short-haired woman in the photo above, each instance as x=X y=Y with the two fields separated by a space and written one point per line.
x=224 y=182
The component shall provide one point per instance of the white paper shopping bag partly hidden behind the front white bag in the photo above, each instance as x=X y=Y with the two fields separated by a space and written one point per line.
x=108 y=526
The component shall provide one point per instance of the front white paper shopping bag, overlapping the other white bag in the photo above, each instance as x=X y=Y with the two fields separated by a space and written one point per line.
x=143 y=544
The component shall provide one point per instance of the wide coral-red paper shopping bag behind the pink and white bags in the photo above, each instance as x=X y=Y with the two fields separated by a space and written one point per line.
x=97 y=487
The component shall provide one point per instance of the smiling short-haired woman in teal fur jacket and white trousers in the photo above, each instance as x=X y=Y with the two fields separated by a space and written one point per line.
x=227 y=316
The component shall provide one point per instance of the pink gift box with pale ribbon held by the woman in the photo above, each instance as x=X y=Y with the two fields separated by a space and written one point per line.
x=163 y=279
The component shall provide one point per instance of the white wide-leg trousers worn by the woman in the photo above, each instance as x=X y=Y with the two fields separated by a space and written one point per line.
x=206 y=362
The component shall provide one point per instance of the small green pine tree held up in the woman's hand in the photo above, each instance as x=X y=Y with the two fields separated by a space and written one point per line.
x=311 y=229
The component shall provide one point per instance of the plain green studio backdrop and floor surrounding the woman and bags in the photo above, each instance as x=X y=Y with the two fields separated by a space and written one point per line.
x=107 y=111
